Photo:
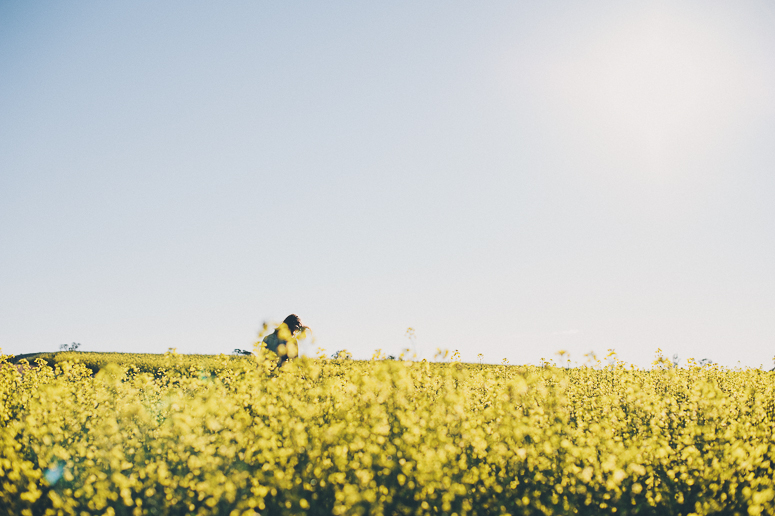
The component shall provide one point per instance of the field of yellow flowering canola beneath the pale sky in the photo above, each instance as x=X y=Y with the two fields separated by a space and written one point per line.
x=234 y=436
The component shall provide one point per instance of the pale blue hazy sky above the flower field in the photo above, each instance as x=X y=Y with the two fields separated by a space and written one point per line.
x=508 y=179
